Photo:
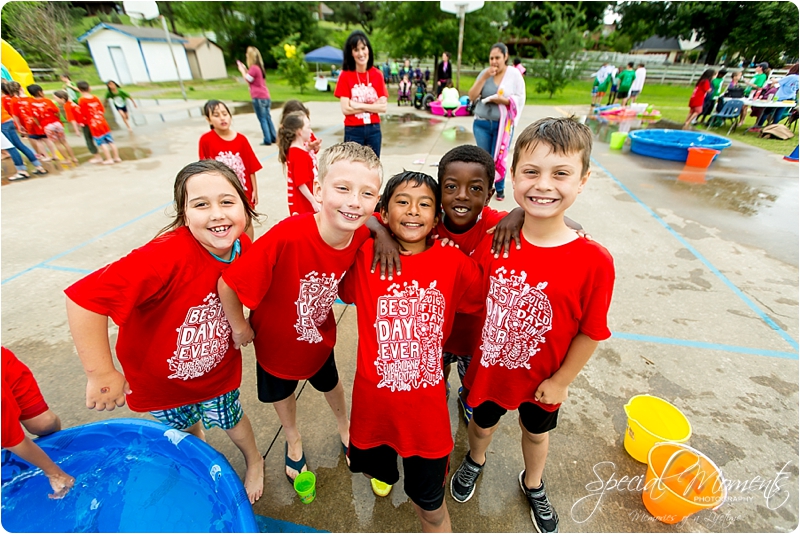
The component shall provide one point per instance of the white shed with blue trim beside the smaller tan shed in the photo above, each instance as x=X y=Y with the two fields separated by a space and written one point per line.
x=130 y=54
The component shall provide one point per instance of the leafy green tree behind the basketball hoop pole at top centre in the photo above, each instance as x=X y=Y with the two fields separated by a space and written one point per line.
x=422 y=29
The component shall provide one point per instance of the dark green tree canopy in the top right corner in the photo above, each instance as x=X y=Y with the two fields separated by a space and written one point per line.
x=744 y=27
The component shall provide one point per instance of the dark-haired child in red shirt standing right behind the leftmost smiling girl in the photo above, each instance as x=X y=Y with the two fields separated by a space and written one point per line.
x=233 y=149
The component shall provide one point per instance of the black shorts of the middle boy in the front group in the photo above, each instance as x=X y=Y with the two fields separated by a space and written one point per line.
x=424 y=480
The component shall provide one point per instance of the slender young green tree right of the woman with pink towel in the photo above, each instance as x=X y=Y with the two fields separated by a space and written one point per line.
x=563 y=39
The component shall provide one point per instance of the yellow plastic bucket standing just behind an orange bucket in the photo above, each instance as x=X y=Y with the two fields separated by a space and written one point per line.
x=652 y=420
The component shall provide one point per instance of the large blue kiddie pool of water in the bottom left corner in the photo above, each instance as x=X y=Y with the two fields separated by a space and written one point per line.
x=131 y=475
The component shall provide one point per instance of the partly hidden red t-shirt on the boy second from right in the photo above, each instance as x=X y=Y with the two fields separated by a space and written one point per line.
x=466 y=332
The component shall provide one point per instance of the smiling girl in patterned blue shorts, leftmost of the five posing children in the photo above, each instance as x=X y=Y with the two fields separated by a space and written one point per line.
x=174 y=342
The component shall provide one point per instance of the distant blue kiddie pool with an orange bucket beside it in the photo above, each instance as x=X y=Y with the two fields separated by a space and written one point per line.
x=673 y=144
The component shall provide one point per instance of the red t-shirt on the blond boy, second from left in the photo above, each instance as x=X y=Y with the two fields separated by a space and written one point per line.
x=295 y=329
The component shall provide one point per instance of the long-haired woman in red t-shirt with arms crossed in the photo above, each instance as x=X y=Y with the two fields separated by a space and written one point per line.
x=362 y=93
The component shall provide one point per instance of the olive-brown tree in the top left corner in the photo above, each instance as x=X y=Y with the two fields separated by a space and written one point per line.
x=41 y=28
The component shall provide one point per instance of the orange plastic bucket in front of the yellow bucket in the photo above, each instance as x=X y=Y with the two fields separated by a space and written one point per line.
x=681 y=481
